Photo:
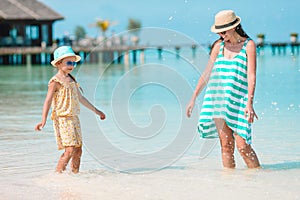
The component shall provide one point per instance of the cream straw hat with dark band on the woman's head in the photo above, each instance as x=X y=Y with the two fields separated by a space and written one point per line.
x=225 y=20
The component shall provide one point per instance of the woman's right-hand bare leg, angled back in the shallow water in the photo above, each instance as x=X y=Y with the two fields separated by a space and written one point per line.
x=247 y=152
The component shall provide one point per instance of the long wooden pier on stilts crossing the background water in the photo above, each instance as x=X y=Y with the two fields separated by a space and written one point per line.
x=118 y=54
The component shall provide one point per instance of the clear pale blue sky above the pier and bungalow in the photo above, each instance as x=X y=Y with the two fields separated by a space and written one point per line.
x=275 y=18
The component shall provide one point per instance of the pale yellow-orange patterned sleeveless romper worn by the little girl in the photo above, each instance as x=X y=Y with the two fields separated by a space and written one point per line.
x=65 y=111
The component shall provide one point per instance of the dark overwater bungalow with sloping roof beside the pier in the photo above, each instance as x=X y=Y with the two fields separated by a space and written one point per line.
x=25 y=23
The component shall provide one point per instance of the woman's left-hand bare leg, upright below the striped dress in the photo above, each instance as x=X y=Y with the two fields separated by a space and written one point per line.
x=227 y=143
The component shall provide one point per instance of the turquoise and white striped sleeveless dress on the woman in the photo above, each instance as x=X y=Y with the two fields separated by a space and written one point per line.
x=226 y=96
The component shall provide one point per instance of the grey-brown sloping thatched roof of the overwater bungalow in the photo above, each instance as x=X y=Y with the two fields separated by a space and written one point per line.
x=27 y=10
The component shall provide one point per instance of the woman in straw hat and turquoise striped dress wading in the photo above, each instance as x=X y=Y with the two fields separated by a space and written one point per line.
x=230 y=76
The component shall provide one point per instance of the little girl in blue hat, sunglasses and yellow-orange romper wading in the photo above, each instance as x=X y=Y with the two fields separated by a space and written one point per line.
x=64 y=97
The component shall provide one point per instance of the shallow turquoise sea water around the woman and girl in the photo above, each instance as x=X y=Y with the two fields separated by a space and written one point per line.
x=146 y=130
